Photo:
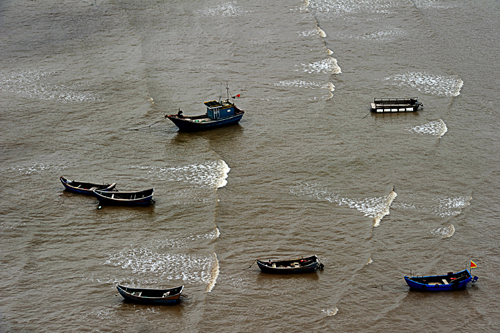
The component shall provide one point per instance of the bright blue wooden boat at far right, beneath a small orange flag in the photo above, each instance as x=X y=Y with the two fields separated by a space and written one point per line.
x=450 y=281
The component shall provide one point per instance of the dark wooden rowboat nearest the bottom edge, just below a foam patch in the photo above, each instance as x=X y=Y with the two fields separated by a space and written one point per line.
x=151 y=296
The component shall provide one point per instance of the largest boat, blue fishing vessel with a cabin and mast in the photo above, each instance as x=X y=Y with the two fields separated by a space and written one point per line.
x=219 y=113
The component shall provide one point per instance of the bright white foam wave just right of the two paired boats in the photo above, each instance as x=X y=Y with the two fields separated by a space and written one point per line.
x=212 y=174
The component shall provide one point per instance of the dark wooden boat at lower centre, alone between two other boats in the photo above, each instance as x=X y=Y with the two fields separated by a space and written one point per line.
x=298 y=265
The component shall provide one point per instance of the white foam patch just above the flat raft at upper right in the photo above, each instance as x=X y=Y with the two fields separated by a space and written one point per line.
x=428 y=83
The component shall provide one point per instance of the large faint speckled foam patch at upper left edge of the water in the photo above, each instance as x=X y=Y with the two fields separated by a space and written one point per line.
x=36 y=85
